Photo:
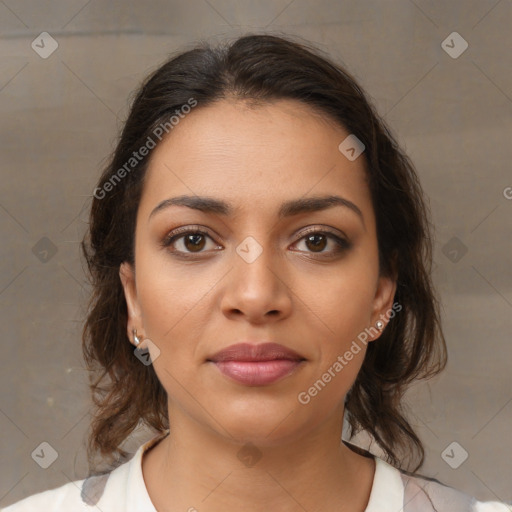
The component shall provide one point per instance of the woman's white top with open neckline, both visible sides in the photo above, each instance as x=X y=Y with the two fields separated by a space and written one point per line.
x=123 y=490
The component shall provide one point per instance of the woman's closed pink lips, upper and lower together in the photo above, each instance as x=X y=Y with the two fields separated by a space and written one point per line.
x=257 y=365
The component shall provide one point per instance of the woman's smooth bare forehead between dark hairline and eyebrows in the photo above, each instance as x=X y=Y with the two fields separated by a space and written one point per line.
x=254 y=157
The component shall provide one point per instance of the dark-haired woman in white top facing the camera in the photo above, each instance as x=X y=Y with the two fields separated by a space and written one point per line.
x=264 y=245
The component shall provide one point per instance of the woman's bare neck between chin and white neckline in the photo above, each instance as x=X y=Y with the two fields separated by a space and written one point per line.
x=194 y=468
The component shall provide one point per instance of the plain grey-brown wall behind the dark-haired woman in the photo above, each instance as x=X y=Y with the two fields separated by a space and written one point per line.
x=60 y=118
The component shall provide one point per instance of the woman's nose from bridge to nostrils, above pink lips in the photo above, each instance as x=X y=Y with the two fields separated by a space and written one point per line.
x=257 y=290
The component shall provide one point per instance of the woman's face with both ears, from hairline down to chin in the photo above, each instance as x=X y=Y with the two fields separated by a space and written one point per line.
x=258 y=274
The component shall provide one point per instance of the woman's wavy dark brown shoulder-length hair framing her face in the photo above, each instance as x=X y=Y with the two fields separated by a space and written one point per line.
x=263 y=68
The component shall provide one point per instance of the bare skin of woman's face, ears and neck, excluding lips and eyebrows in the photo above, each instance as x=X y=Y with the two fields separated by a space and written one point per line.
x=310 y=298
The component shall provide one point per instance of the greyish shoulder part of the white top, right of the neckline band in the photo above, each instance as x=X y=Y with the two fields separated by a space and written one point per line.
x=428 y=494
